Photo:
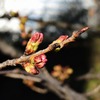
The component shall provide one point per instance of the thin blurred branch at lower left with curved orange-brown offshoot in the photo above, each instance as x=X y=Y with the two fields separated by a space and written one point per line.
x=19 y=74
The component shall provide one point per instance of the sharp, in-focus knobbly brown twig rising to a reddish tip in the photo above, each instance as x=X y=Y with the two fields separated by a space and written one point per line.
x=51 y=47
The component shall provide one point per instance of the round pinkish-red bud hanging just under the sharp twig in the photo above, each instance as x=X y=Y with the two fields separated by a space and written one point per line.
x=40 y=61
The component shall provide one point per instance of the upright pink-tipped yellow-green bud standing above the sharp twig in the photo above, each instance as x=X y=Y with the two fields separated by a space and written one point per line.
x=33 y=43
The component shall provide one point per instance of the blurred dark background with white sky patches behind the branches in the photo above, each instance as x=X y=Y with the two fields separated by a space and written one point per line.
x=19 y=19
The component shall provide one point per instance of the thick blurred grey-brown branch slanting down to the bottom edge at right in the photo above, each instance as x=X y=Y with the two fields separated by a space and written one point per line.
x=64 y=92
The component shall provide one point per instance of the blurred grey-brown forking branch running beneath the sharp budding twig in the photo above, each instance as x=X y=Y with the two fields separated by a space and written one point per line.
x=50 y=83
